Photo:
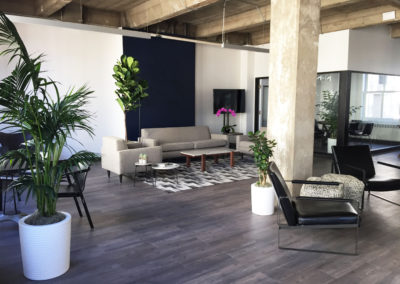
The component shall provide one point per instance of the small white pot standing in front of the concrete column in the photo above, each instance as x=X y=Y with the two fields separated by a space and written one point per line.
x=262 y=200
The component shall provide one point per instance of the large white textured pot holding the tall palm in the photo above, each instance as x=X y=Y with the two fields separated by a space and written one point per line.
x=45 y=249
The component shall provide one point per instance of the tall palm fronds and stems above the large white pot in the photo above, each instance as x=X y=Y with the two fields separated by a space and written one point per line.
x=26 y=106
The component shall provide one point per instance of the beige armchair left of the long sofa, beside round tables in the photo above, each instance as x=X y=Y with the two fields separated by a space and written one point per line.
x=119 y=157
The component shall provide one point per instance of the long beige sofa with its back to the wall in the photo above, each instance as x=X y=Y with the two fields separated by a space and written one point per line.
x=173 y=140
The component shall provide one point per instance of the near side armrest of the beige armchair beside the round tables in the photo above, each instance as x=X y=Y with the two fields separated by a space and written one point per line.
x=128 y=158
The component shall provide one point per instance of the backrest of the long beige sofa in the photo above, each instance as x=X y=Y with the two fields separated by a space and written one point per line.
x=177 y=134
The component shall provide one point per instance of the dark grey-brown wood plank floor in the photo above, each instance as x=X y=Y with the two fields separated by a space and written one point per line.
x=208 y=235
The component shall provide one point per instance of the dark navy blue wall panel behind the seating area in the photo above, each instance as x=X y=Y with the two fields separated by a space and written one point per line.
x=169 y=68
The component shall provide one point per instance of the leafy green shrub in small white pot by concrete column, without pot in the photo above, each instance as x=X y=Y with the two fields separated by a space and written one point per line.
x=263 y=149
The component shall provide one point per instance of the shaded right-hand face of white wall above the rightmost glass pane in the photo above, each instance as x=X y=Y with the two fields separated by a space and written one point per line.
x=373 y=50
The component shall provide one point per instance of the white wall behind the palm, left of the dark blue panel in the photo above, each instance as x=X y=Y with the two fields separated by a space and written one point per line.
x=74 y=58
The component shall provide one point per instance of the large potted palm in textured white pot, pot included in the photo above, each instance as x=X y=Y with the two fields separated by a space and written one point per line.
x=32 y=105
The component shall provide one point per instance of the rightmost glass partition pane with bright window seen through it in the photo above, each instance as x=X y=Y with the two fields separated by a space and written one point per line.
x=374 y=109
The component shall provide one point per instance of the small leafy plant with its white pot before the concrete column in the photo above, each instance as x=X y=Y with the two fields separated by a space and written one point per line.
x=262 y=192
